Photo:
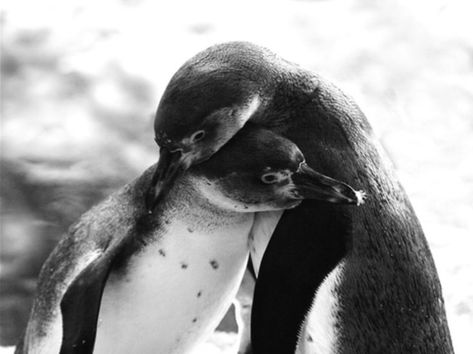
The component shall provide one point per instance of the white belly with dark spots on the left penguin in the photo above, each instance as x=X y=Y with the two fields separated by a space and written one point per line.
x=175 y=292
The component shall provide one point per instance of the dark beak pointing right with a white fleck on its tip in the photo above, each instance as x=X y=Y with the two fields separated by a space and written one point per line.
x=313 y=185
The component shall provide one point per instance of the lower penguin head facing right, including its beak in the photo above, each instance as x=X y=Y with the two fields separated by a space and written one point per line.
x=259 y=170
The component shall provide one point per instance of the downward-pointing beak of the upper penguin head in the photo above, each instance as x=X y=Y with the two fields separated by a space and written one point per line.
x=171 y=165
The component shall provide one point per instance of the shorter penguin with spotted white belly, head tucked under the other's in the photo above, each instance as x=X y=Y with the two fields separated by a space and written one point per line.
x=126 y=281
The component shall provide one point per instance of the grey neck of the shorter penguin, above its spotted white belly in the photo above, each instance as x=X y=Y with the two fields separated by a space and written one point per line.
x=184 y=205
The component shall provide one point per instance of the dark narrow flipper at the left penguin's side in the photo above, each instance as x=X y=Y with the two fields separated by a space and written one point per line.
x=80 y=304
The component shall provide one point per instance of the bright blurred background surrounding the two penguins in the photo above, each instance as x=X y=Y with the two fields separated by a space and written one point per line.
x=81 y=81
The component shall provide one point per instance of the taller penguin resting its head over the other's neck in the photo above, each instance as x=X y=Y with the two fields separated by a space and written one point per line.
x=366 y=275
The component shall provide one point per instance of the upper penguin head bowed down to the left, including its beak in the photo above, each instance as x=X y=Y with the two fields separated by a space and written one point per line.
x=207 y=101
